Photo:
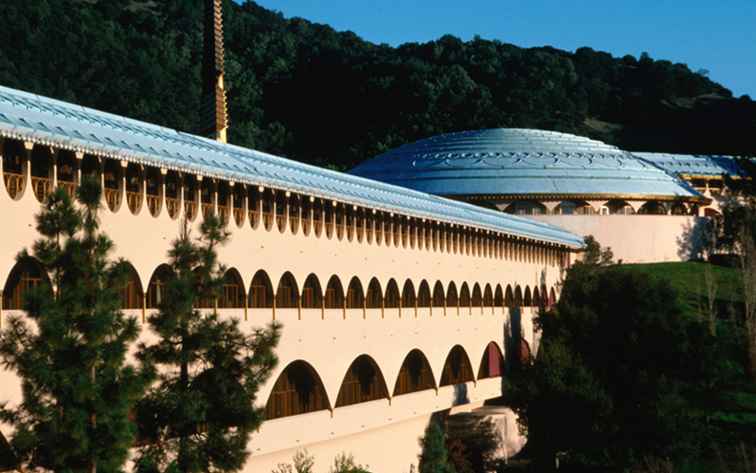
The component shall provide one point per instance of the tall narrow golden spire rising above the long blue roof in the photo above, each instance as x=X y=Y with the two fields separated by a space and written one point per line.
x=214 y=112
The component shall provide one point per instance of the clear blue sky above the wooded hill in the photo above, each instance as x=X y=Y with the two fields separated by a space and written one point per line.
x=716 y=35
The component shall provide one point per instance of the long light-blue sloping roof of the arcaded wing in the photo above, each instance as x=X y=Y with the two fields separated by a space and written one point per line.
x=46 y=121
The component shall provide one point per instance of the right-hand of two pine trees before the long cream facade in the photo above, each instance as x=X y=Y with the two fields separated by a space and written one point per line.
x=201 y=413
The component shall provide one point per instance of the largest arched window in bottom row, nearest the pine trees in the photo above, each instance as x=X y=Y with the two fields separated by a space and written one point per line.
x=298 y=390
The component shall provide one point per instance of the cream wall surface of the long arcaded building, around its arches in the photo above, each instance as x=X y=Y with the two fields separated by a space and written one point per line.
x=332 y=342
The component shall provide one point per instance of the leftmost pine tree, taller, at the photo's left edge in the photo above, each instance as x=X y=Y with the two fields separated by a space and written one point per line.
x=78 y=389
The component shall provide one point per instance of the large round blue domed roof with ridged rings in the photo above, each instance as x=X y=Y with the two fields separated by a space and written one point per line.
x=513 y=162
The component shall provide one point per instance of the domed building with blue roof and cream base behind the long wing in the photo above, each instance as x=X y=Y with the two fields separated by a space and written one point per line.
x=647 y=207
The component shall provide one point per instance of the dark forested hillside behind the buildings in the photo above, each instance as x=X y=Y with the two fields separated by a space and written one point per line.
x=311 y=93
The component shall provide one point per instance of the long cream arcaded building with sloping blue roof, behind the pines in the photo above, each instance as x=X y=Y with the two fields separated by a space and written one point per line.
x=425 y=291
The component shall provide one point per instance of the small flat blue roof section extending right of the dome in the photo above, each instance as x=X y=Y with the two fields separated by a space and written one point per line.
x=694 y=164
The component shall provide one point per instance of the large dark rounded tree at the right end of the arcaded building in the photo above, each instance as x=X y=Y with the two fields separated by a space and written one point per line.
x=623 y=373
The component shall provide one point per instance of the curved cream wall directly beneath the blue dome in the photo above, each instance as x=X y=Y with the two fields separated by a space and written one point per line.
x=632 y=238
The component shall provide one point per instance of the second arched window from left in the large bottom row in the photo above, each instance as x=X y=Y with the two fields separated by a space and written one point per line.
x=363 y=382
